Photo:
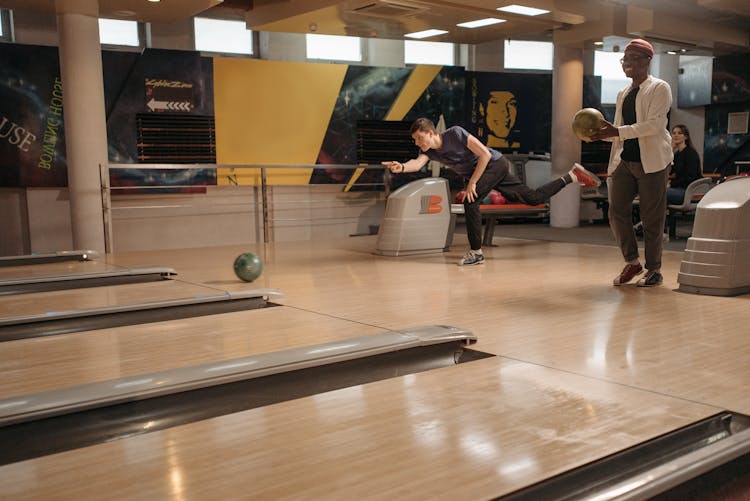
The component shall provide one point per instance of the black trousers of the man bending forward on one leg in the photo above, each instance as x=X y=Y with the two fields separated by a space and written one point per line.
x=499 y=176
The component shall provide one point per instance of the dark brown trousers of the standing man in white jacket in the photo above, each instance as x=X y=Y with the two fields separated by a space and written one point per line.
x=627 y=182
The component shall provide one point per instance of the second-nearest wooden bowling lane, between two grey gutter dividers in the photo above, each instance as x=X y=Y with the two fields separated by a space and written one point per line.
x=53 y=362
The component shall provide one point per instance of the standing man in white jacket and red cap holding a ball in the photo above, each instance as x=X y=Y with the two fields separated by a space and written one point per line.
x=641 y=152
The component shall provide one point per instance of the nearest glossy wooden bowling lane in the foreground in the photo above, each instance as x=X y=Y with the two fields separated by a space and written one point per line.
x=468 y=432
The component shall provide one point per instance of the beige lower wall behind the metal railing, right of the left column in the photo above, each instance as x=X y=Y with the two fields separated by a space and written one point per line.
x=234 y=215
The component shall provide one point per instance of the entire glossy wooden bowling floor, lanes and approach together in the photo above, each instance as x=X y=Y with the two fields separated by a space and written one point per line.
x=573 y=370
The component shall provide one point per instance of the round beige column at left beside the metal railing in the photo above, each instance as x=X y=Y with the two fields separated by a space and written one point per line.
x=85 y=117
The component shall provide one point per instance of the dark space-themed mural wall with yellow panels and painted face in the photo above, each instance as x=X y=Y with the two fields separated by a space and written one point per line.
x=265 y=113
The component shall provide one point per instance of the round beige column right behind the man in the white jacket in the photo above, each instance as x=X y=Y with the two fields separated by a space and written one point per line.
x=567 y=98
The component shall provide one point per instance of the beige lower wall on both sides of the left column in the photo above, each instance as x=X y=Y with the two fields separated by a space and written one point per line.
x=38 y=220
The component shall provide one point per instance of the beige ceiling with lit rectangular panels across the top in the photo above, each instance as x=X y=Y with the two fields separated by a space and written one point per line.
x=701 y=26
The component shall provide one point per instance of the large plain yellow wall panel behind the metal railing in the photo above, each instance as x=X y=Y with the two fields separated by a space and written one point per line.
x=272 y=113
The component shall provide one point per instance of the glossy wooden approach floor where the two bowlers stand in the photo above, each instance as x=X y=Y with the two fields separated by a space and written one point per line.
x=548 y=303
